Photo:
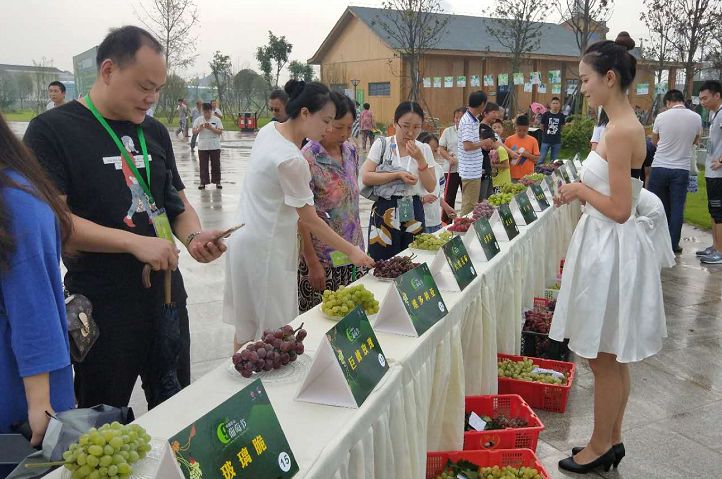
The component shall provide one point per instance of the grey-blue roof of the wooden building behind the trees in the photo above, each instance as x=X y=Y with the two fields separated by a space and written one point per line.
x=463 y=33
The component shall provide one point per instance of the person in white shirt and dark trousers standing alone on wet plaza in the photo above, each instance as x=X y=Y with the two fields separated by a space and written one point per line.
x=209 y=128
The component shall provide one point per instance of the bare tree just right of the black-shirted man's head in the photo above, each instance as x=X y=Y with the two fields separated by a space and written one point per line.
x=172 y=22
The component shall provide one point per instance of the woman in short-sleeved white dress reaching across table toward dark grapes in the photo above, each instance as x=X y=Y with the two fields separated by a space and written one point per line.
x=262 y=259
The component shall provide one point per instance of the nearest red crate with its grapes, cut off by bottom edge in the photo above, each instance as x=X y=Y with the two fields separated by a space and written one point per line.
x=498 y=464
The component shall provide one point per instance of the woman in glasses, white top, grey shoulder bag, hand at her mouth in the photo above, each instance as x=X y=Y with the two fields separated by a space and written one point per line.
x=401 y=171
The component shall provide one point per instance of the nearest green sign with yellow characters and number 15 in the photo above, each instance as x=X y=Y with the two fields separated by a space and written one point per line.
x=241 y=438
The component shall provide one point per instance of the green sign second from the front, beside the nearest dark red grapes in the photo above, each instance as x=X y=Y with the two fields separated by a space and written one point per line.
x=358 y=352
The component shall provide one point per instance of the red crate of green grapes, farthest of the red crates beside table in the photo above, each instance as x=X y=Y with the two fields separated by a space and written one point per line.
x=531 y=379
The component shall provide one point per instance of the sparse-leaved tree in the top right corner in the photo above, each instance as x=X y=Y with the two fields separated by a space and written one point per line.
x=694 y=25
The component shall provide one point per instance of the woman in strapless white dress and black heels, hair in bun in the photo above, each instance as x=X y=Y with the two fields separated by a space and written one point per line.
x=610 y=305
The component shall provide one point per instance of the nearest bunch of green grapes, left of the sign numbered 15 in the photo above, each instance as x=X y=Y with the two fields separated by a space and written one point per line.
x=107 y=452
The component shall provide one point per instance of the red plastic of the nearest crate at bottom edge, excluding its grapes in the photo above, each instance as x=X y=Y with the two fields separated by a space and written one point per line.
x=436 y=461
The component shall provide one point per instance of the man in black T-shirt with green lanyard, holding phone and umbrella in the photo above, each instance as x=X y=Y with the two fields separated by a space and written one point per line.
x=113 y=237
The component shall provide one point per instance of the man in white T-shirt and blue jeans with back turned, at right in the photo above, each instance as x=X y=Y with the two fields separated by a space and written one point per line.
x=675 y=132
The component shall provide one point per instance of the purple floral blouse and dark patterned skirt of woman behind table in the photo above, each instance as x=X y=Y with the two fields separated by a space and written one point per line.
x=336 y=197
